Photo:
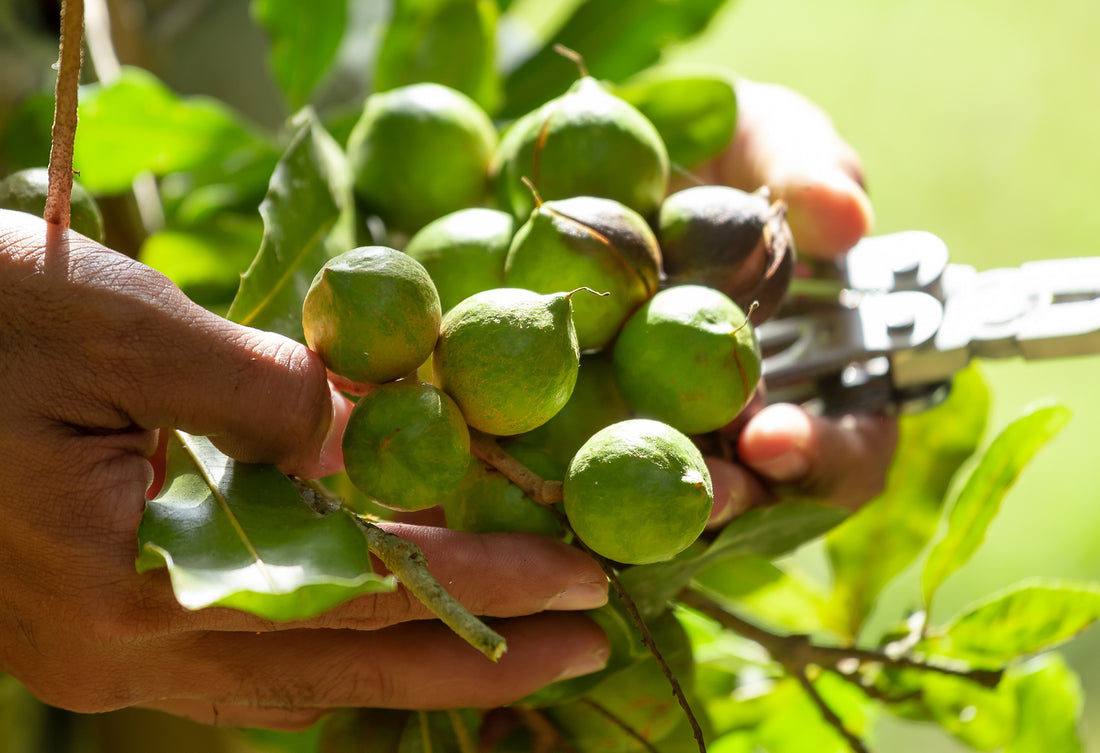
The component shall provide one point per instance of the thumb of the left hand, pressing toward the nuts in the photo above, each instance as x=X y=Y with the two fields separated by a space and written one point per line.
x=152 y=358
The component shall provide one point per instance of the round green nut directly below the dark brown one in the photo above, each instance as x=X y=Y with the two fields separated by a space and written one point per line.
x=688 y=358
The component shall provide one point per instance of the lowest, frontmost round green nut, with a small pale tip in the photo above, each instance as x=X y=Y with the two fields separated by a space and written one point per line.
x=639 y=492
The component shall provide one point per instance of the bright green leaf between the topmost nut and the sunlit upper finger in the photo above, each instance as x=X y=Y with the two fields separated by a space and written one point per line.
x=696 y=113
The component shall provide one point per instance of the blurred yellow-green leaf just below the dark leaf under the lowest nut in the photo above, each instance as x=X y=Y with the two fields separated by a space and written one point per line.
x=764 y=593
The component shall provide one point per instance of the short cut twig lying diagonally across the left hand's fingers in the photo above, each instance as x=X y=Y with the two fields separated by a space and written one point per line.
x=409 y=564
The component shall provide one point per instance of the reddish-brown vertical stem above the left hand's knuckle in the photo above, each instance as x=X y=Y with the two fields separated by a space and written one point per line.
x=65 y=99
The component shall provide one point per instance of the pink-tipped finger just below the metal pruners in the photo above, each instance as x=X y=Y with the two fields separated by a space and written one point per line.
x=842 y=461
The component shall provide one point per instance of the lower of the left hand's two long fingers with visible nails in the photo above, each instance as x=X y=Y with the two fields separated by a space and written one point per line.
x=419 y=666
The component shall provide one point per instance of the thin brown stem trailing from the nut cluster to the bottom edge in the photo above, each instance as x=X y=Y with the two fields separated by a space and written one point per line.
x=547 y=493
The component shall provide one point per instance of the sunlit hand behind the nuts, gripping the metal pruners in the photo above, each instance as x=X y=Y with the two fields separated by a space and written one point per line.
x=787 y=143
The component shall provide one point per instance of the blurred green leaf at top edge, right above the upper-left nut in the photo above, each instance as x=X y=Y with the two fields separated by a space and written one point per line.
x=449 y=42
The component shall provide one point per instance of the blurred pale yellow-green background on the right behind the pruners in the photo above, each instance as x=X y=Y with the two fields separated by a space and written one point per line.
x=977 y=121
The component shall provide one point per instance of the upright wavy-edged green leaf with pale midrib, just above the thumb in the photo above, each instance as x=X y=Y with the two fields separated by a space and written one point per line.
x=309 y=192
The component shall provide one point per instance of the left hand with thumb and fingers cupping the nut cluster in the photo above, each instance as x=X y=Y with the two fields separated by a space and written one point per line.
x=100 y=352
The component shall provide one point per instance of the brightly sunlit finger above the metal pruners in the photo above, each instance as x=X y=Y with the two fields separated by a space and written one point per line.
x=787 y=143
